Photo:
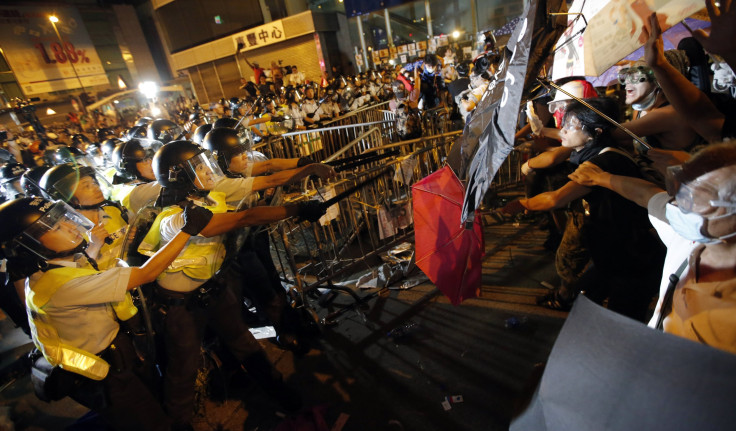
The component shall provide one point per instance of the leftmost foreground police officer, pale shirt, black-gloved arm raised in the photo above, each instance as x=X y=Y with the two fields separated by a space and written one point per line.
x=74 y=309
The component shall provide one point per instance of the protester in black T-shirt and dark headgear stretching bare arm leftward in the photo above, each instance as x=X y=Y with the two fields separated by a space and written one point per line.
x=626 y=257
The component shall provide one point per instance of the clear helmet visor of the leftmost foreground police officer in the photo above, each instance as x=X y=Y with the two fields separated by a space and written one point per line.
x=60 y=229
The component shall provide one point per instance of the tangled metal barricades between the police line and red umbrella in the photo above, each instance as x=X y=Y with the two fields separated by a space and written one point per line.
x=369 y=222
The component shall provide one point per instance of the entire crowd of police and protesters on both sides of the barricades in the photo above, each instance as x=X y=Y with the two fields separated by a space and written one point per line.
x=646 y=221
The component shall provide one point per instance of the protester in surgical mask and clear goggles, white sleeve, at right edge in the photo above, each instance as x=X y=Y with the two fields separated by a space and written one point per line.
x=696 y=219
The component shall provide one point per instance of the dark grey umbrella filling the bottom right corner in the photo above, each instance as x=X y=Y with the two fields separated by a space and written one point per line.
x=607 y=372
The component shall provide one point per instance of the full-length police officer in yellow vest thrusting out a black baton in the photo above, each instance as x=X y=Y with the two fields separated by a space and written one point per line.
x=190 y=291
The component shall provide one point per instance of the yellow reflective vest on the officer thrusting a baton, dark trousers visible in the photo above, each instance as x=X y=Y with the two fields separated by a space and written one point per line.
x=201 y=258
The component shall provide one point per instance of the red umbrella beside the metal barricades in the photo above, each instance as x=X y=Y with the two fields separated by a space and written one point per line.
x=449 y=254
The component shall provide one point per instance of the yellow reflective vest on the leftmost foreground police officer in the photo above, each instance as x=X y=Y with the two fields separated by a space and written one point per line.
x=45 y=335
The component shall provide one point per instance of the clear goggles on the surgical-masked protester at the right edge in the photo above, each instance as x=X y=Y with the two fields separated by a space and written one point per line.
x=694 y=196
